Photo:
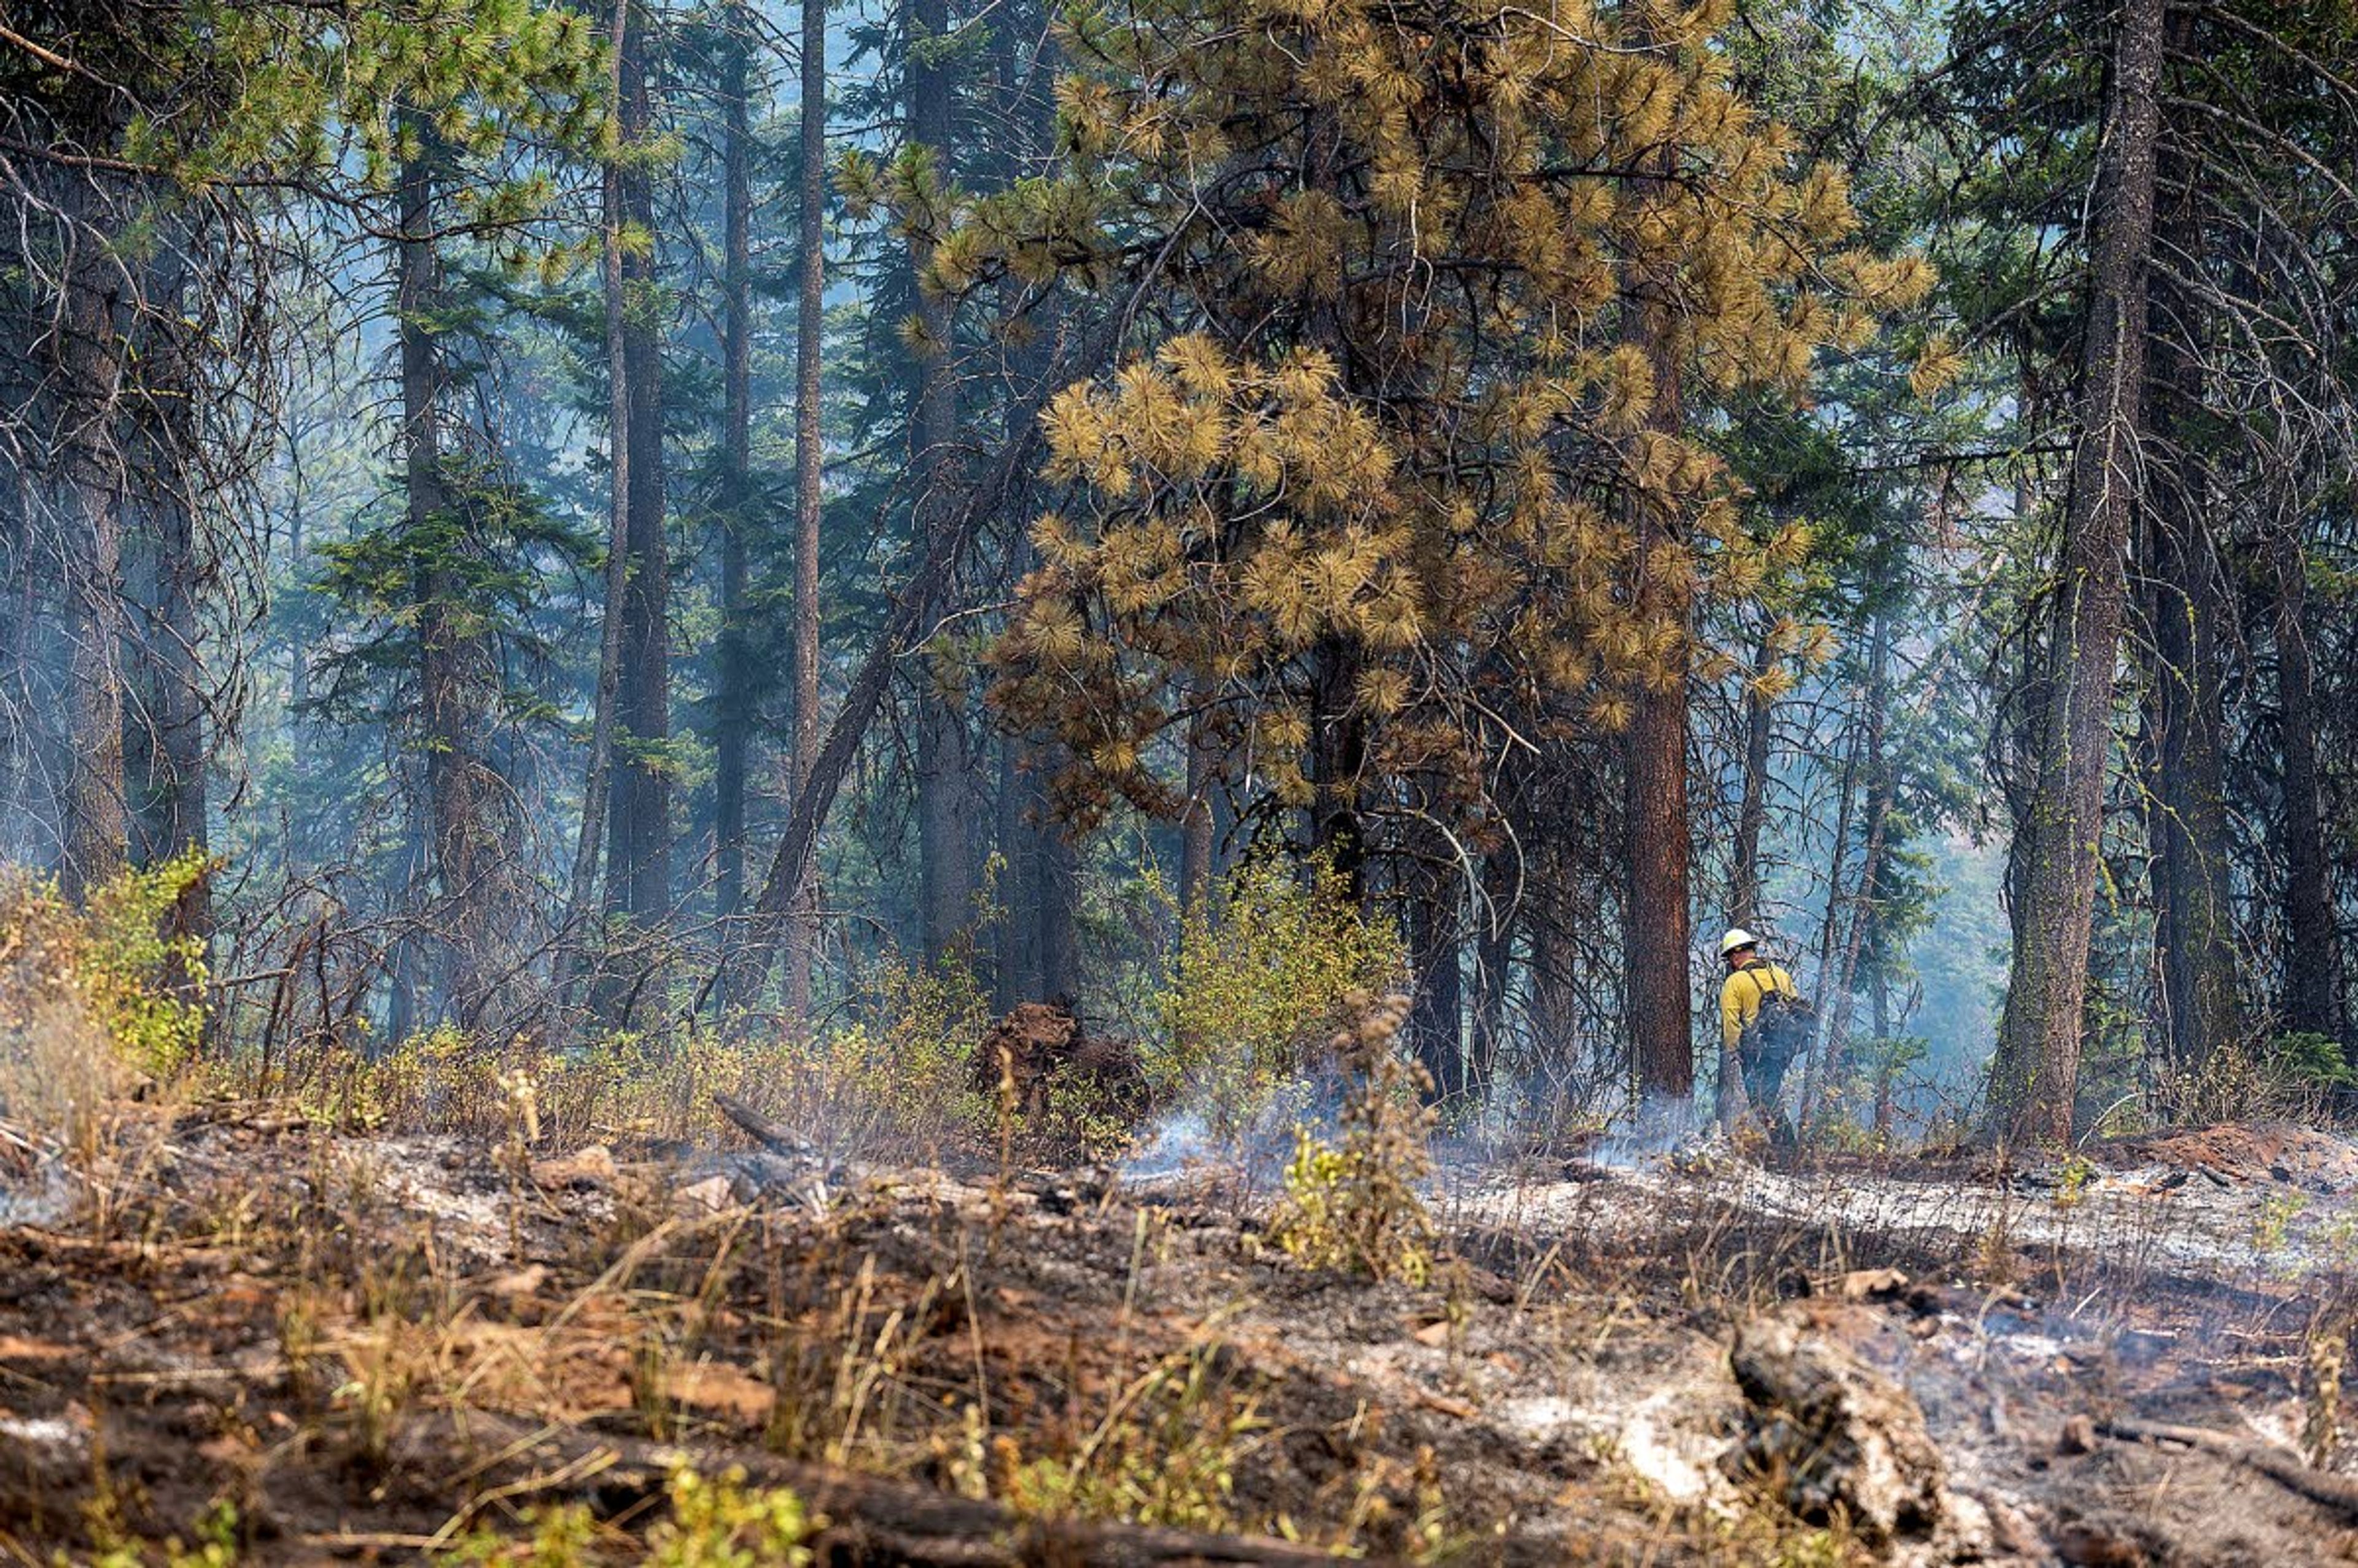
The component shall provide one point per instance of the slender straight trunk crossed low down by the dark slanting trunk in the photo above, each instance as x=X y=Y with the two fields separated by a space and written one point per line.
x=810 y=322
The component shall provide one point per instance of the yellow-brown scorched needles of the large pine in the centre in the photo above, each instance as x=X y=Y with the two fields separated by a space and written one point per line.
x=1423 y=265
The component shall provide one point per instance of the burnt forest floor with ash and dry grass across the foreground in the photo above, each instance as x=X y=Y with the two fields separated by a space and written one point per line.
x=279 y=1340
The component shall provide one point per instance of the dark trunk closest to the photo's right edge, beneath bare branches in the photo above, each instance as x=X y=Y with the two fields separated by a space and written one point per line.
x=2312 y=942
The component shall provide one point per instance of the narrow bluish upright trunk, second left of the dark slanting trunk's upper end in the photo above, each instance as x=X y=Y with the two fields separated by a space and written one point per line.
x=732 y=709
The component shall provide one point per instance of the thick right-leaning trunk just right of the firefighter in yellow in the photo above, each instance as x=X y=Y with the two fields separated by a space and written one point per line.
x=2038 y=1046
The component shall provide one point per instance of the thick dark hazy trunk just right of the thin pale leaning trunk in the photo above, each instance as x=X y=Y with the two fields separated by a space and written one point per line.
x=638 y=859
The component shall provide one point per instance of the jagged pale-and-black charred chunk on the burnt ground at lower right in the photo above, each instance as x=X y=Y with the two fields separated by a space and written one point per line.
x=1833 y=1432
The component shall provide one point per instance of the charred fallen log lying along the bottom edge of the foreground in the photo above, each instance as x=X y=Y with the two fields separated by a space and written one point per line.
x=869 y=1522
